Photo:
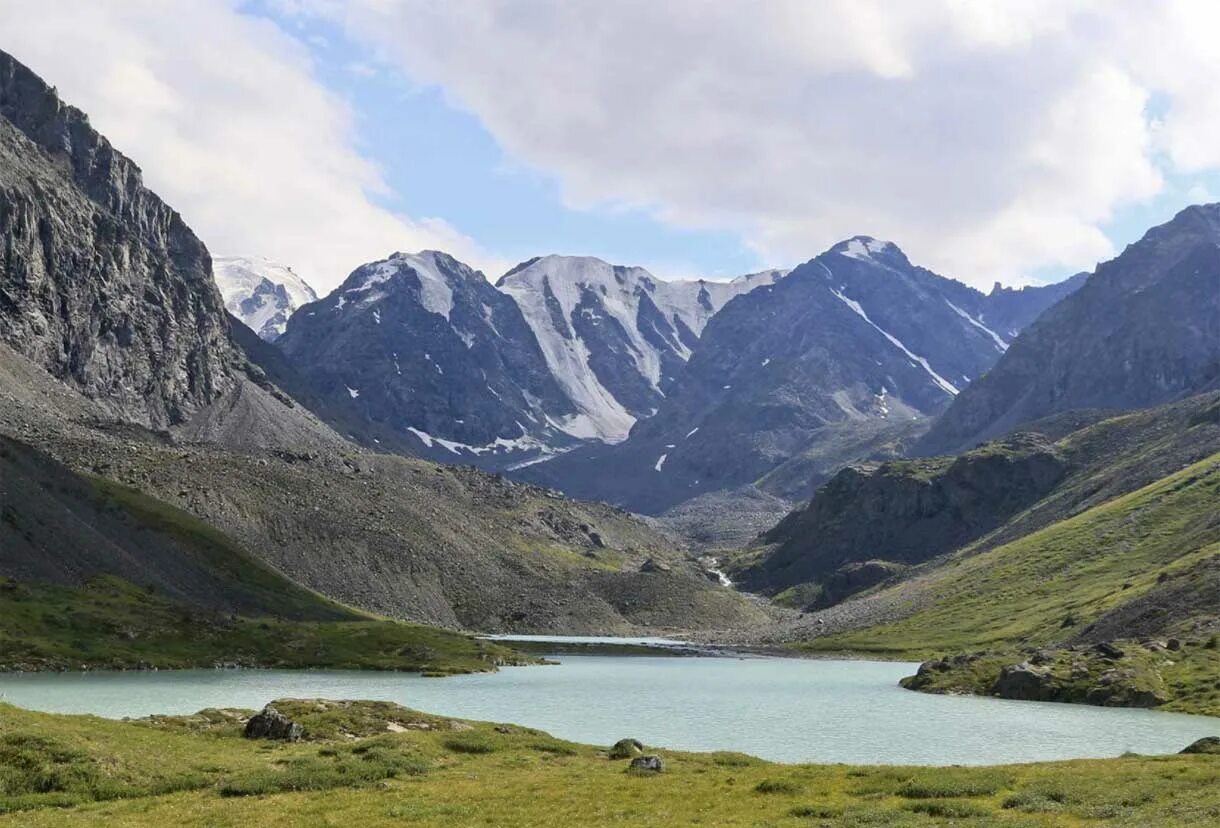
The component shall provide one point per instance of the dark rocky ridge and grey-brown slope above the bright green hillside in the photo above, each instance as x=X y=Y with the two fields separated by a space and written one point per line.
x=912 y=512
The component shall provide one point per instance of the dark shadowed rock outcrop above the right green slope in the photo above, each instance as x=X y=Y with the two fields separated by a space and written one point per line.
x=905 y=513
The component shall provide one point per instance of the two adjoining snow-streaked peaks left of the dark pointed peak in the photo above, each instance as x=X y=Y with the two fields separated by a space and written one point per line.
x=425 y=355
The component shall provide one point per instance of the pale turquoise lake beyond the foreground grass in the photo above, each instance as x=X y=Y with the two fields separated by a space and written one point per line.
x=780 y=709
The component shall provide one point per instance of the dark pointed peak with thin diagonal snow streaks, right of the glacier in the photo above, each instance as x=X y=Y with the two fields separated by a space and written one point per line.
x=838 y=363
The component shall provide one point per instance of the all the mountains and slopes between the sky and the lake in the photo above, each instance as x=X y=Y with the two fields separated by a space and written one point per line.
x=1029 y=471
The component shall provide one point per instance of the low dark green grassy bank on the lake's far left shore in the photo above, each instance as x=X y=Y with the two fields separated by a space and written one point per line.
x=113 y=624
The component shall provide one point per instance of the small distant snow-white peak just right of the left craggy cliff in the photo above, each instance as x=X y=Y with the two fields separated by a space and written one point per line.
x=260 y=292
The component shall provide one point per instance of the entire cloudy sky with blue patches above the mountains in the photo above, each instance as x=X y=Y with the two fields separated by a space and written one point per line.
x=1007 y=141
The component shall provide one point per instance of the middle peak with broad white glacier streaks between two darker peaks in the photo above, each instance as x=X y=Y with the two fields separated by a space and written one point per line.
x=615 y=338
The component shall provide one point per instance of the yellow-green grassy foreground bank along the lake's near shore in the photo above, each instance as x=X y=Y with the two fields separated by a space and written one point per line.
x=374 y=764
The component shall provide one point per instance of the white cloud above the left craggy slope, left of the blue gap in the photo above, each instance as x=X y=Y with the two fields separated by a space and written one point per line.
x=224 y=115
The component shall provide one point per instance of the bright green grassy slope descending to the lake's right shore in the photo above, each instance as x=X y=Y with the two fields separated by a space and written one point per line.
x=1050 y=586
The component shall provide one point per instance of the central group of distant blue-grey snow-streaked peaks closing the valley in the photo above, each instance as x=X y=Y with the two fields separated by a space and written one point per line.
x=608 y=384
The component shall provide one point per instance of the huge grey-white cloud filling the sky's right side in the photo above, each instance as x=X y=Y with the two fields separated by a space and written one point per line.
x=988 y=138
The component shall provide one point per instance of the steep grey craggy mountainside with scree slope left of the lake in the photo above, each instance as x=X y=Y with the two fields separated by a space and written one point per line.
x=154 y=414
